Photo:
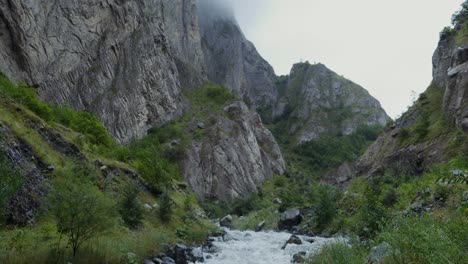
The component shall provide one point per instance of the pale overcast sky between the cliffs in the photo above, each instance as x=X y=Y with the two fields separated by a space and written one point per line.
x=385 y=46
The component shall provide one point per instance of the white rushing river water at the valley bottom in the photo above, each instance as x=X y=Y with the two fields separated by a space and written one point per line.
x=248 y=247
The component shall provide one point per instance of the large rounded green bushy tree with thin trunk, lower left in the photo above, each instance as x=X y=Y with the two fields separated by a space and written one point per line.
x=80 y=210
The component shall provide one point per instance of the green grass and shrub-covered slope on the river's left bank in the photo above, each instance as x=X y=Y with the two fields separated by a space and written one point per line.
x=78 y=221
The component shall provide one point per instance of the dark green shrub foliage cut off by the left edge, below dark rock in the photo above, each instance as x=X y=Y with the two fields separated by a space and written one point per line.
x=10 y=182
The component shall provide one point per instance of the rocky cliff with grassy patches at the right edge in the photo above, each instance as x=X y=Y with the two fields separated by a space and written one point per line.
x=434 y=128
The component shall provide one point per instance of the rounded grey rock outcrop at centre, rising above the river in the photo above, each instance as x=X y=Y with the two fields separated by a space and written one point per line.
x=237 y=154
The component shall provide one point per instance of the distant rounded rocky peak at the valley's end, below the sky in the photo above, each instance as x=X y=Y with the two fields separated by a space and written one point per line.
x=317 y=101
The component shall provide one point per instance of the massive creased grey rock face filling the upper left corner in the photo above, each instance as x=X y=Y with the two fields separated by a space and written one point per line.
x=109 y=57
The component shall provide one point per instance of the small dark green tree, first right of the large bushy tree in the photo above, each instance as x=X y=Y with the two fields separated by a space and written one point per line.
x=130 y=209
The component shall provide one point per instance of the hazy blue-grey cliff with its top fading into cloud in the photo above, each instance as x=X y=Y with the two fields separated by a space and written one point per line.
x=231 y=59
